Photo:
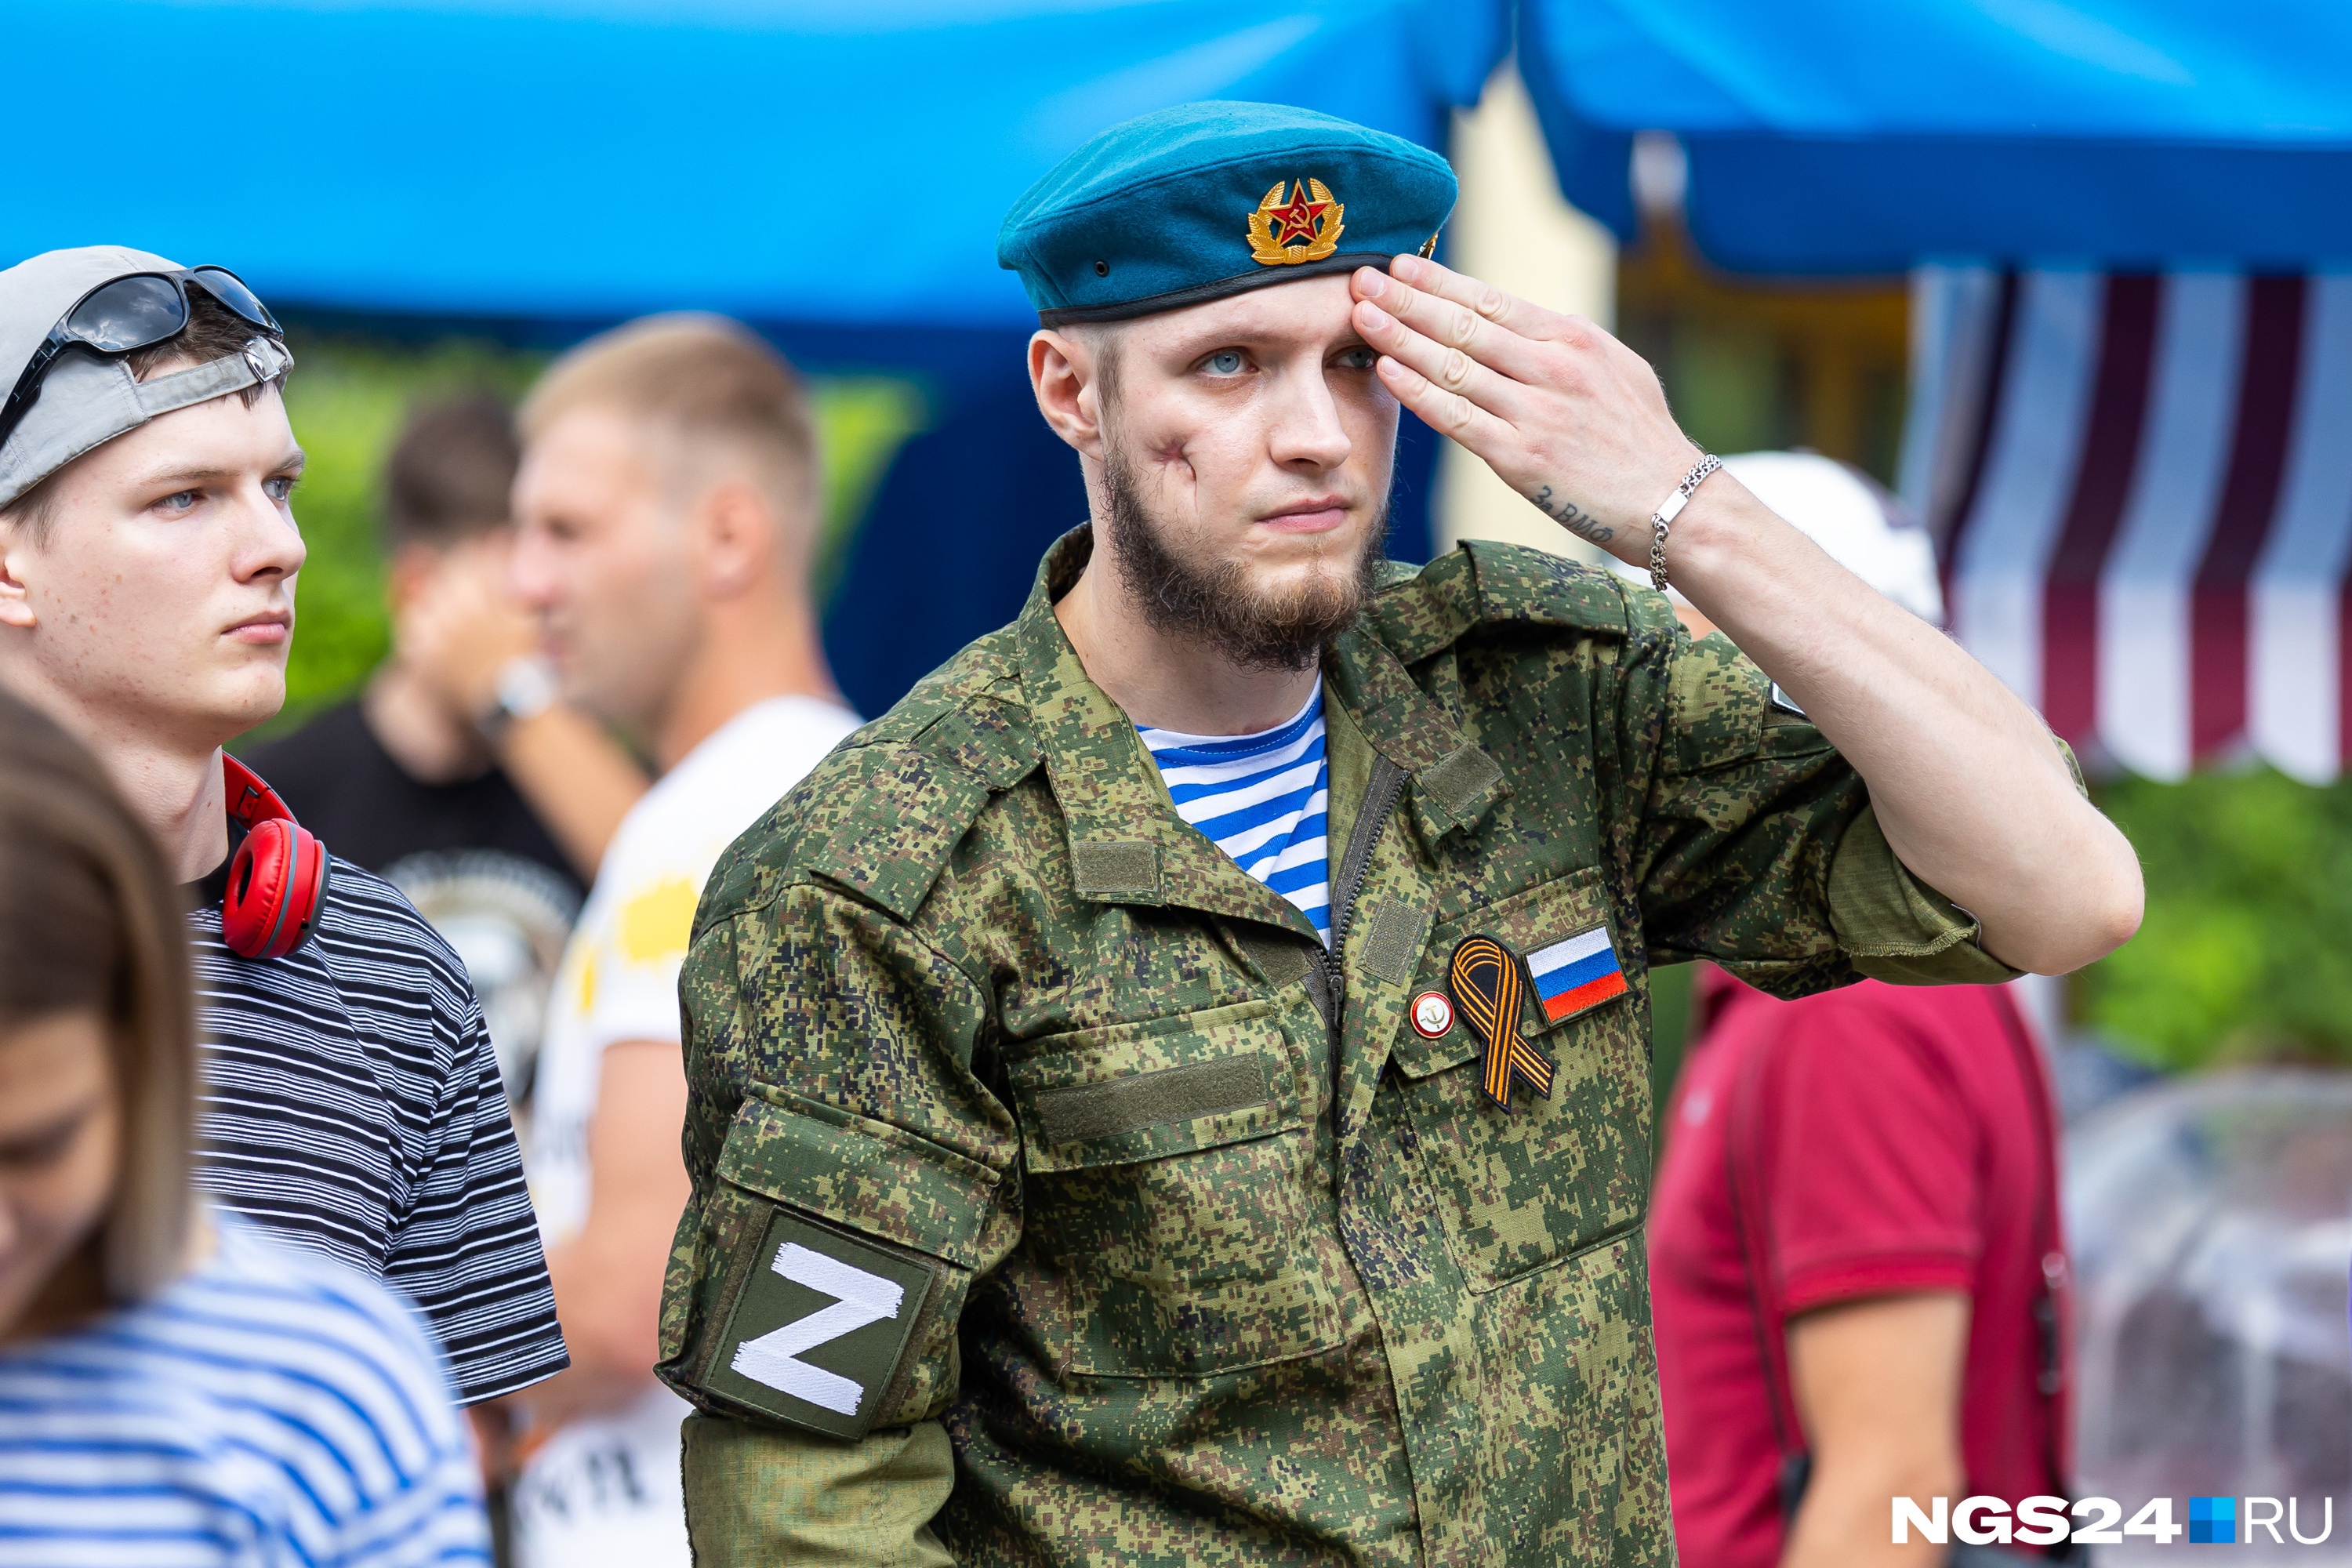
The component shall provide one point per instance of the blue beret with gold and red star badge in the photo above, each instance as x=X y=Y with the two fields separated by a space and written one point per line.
x=1212 y=199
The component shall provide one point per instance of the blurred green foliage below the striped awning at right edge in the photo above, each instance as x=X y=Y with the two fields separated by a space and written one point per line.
x=2250 y=902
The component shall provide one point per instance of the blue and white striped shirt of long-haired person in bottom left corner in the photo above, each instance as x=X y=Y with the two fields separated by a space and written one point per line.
x=265 y=1409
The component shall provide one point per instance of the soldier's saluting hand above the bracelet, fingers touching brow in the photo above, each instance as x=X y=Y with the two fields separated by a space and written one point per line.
x=1561 y=410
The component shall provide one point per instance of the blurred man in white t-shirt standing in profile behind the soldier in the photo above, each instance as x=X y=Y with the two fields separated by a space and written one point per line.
x=667 y=514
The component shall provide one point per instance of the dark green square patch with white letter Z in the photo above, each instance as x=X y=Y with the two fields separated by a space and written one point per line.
x=820 y=1327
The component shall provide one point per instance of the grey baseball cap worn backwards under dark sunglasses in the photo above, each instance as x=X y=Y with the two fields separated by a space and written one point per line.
x=67 y=323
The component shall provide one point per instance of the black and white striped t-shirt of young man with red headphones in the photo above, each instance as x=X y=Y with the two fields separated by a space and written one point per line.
x=352 y=1104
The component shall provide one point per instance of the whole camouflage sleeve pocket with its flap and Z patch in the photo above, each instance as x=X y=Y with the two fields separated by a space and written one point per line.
x=853 y=1249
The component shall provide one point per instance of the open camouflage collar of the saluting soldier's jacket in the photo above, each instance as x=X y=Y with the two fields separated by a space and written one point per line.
x=1128 y=845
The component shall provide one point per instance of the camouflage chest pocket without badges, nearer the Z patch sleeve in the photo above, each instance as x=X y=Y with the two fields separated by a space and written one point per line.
x=1172 y=1195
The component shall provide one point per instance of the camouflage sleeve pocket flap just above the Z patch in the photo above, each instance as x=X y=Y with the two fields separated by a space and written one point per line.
x=864 y=1174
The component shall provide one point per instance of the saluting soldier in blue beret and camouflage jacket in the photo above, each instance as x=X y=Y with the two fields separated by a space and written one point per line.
x=1177 y=1087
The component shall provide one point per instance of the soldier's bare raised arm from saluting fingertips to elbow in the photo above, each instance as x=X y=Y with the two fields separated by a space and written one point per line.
x=1970 y=789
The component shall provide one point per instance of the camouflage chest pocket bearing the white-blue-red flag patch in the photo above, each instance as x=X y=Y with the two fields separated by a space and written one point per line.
x=1551 y=1177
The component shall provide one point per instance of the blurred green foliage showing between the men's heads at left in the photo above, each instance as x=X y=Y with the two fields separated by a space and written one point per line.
x=347 y=401
